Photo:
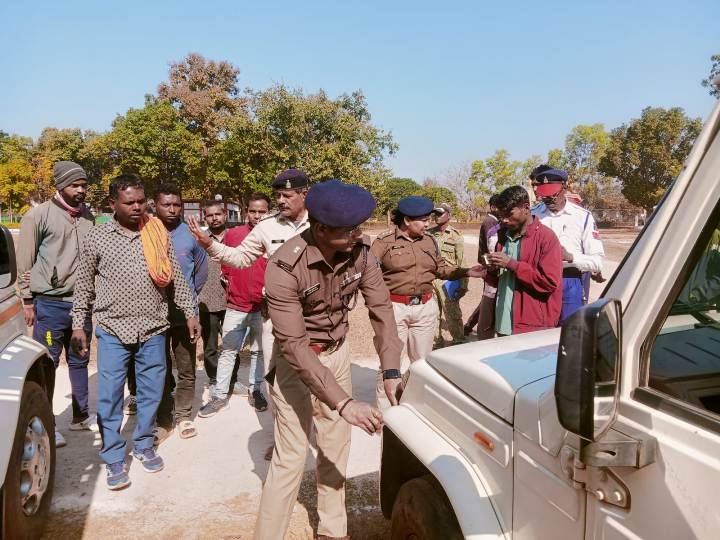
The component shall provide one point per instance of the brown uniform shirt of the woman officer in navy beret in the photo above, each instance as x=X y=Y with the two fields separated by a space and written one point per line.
x=410 y=266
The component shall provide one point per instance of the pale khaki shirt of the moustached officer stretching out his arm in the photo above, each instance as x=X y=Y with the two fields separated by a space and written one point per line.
x=265 y=239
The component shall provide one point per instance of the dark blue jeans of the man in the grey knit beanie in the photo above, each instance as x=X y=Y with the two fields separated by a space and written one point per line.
x=53 y=328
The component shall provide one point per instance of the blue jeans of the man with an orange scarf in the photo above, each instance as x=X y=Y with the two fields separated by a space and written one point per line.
x=113 y=358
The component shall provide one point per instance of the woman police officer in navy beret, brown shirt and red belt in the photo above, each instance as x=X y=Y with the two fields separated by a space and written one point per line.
x=410 y=260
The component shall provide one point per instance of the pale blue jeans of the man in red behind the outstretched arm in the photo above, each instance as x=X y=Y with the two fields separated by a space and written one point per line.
x=235 y=327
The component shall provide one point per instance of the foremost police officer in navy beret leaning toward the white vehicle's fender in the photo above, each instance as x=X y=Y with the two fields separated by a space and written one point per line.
x=312 y=282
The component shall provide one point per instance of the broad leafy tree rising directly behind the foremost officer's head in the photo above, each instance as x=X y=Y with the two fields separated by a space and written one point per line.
x=328 y=138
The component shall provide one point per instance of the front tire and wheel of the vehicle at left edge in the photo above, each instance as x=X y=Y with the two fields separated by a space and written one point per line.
x=27 y=490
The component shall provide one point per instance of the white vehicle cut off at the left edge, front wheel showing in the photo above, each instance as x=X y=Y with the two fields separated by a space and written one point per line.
x=27 y=441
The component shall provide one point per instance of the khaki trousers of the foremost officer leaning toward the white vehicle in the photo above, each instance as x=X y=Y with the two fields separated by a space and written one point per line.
x=296 y=411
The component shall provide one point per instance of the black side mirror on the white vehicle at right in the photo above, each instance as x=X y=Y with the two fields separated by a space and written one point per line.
x=588 y=369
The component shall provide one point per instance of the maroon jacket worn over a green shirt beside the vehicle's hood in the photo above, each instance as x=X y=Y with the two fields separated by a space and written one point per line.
x=537 y=301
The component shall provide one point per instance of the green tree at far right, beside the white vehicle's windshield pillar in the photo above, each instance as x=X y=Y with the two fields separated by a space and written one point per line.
x=647 y=154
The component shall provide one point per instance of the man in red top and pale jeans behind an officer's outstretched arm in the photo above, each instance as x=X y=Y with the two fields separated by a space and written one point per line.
x=242 y=317
